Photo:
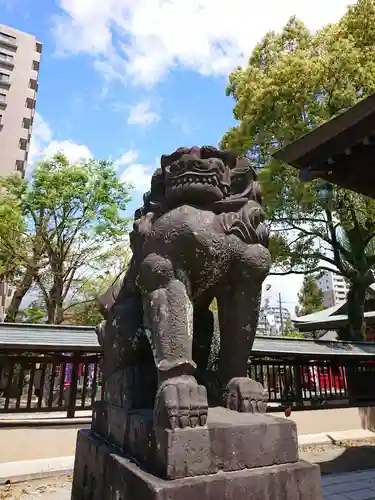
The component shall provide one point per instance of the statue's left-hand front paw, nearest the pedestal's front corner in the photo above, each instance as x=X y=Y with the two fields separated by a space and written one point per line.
x=180 y=402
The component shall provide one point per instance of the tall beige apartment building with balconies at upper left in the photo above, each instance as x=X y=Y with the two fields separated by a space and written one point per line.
x=19 y=68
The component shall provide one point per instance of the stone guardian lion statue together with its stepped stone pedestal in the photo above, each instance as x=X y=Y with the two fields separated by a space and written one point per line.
x=198 y=236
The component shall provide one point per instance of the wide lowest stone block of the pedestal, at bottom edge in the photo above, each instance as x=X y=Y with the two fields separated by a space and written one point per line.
x=102 y=474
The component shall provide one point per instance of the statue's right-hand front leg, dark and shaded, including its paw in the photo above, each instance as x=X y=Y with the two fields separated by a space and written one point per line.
x=238 y=306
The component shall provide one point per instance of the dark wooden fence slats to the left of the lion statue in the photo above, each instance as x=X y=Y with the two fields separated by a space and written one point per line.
x=49 y=382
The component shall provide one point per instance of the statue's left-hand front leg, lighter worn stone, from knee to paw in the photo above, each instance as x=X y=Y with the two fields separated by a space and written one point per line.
x=180 y=401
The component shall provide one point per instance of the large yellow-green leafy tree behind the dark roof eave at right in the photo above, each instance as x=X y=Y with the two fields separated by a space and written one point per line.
x=295 y=81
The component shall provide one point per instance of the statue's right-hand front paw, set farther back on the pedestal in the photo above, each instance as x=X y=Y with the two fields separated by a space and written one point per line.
x=245 y=395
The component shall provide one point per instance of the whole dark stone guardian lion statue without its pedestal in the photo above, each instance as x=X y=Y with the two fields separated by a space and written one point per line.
x=198 y=236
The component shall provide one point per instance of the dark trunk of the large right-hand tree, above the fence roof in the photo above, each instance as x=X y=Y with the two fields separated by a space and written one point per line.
x=356 y=308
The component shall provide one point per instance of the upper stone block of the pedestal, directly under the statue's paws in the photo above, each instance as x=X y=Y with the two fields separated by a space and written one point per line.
x=231 y=441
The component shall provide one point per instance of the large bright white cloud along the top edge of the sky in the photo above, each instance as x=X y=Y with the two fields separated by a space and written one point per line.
x=140 y=41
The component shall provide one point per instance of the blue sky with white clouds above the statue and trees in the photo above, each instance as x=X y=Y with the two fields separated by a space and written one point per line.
x=130 y=80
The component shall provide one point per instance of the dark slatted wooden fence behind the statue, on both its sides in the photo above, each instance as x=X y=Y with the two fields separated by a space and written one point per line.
x=55 y=382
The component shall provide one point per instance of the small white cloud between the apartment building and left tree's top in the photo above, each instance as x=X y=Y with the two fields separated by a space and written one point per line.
x=44 y=146
